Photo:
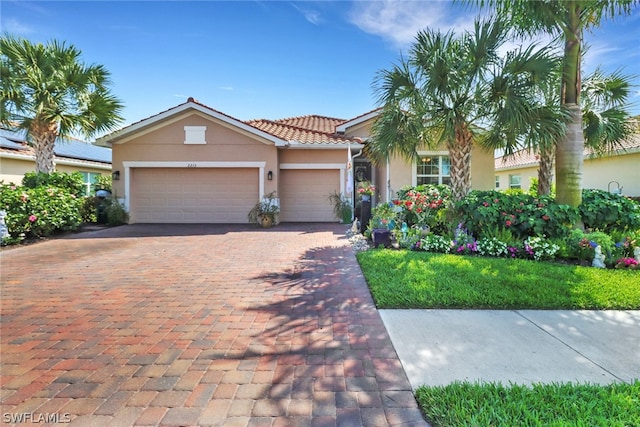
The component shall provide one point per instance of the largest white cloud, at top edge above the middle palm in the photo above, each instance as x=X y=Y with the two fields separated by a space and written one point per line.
x=400 y=21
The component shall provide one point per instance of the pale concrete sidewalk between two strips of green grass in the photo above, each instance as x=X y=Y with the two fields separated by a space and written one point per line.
x=437 y=347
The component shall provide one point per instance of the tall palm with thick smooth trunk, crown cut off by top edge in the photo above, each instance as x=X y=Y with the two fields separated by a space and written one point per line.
x=566 y=19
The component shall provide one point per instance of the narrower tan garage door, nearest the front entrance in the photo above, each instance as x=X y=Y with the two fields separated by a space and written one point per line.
x=305 y=195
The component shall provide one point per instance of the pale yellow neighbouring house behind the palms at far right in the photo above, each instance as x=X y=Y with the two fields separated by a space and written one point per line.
x=616 y=171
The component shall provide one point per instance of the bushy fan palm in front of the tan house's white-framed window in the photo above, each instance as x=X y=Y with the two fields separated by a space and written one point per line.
x=455 y=92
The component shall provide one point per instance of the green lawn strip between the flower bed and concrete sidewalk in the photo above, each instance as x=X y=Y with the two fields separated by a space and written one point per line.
x=406 y=279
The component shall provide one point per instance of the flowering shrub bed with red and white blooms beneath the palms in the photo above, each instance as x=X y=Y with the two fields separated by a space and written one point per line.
x=513 y=224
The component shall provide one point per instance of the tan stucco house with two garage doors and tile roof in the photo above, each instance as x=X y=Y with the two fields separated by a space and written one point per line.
x=192 y=163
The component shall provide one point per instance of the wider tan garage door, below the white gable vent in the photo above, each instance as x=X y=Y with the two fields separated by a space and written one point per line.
x=223 y=195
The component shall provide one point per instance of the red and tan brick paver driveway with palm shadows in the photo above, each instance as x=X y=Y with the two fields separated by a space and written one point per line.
x=197 y=325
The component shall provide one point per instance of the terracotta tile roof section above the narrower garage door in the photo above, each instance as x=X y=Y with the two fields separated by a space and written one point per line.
x=288 y=132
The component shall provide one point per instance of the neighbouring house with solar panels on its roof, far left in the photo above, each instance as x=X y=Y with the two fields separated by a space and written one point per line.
x=18 y=158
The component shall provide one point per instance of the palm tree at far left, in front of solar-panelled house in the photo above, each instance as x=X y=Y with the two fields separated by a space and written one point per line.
x=48 y=92
